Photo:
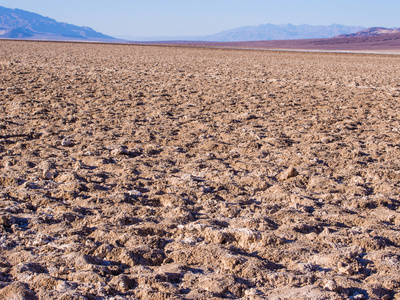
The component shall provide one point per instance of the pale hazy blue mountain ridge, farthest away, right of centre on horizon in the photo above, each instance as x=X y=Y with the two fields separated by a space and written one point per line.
x=269 y=32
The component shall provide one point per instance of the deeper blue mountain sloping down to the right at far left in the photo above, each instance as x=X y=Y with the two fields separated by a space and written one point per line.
x=21 y=24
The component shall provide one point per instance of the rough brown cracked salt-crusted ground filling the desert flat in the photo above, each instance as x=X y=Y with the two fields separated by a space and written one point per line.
x=143 y=172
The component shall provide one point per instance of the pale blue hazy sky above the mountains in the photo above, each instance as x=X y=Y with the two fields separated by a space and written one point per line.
x=201 y=17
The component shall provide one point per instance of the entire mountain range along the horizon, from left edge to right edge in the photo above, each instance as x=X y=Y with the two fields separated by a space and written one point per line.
x=21 y=24
